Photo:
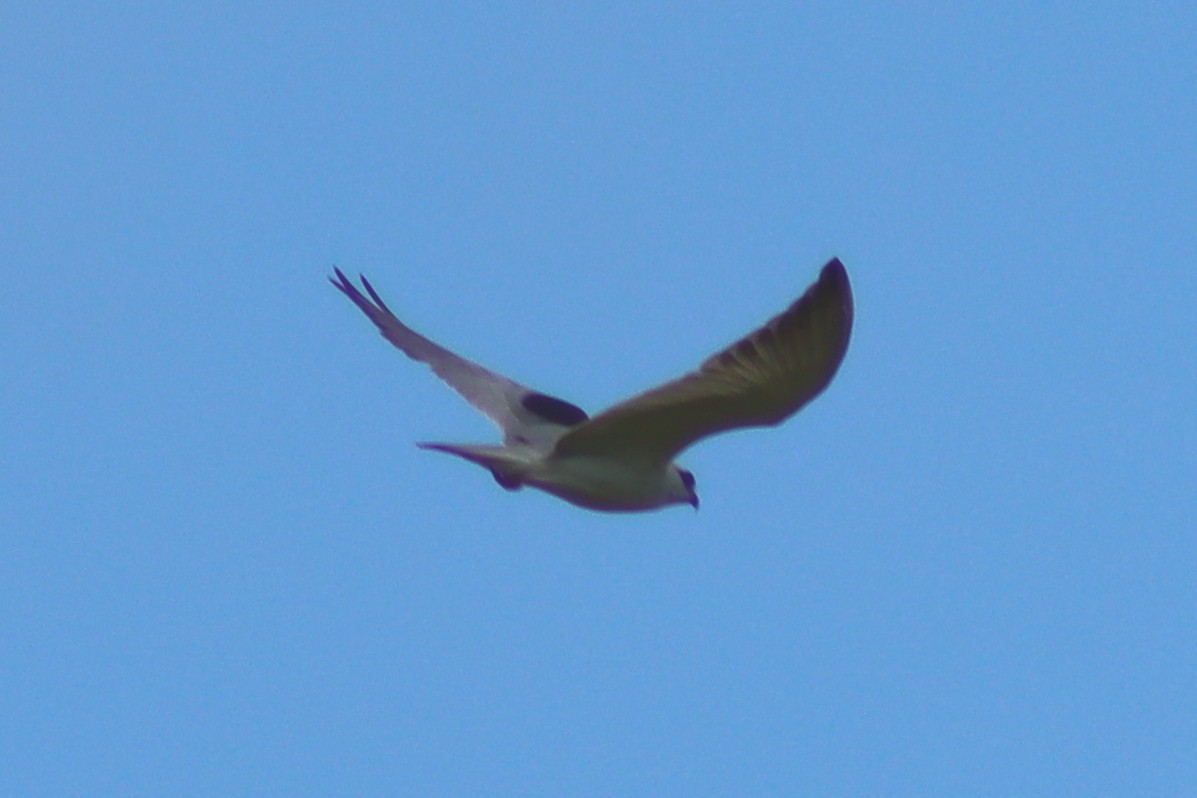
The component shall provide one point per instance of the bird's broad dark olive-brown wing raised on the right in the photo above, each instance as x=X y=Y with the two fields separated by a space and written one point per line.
x=759 y=381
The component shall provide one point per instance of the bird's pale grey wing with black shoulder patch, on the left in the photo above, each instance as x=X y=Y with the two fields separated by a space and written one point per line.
x=524 y=416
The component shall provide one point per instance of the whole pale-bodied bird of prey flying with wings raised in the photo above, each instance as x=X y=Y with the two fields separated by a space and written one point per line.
x=623 y=459
